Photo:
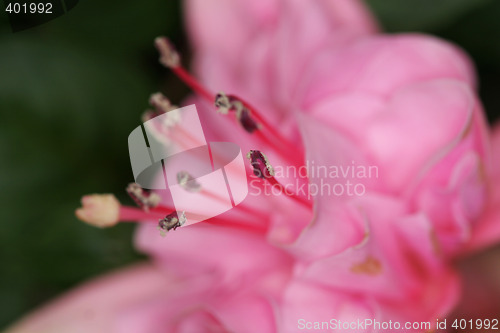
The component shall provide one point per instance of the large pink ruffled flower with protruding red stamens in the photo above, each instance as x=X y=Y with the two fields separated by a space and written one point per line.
x=314 y=81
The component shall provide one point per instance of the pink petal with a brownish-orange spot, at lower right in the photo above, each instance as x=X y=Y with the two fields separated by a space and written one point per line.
x=375 y=266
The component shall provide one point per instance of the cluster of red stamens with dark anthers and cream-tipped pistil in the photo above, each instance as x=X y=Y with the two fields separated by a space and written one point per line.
x=105 y=210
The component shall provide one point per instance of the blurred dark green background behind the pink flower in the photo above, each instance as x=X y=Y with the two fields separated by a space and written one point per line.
x=72 y=89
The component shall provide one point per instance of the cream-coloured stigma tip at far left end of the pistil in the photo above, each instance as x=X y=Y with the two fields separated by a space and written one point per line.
x=99 y=210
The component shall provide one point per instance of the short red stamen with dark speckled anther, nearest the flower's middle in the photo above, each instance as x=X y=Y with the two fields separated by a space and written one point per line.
x=263 y=169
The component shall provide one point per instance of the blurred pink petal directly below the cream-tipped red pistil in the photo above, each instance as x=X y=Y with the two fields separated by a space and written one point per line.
x=237 y=256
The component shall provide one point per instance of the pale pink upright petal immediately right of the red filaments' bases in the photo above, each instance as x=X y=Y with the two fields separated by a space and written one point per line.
x=334 y=227
